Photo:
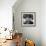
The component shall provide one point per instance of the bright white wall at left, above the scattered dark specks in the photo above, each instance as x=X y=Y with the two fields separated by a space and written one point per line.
x=6 y=13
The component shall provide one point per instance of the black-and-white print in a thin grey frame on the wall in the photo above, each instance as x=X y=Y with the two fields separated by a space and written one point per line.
x=28 y=19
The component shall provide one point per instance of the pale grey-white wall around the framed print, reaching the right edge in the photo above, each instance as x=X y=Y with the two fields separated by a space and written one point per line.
x=38 y=33
